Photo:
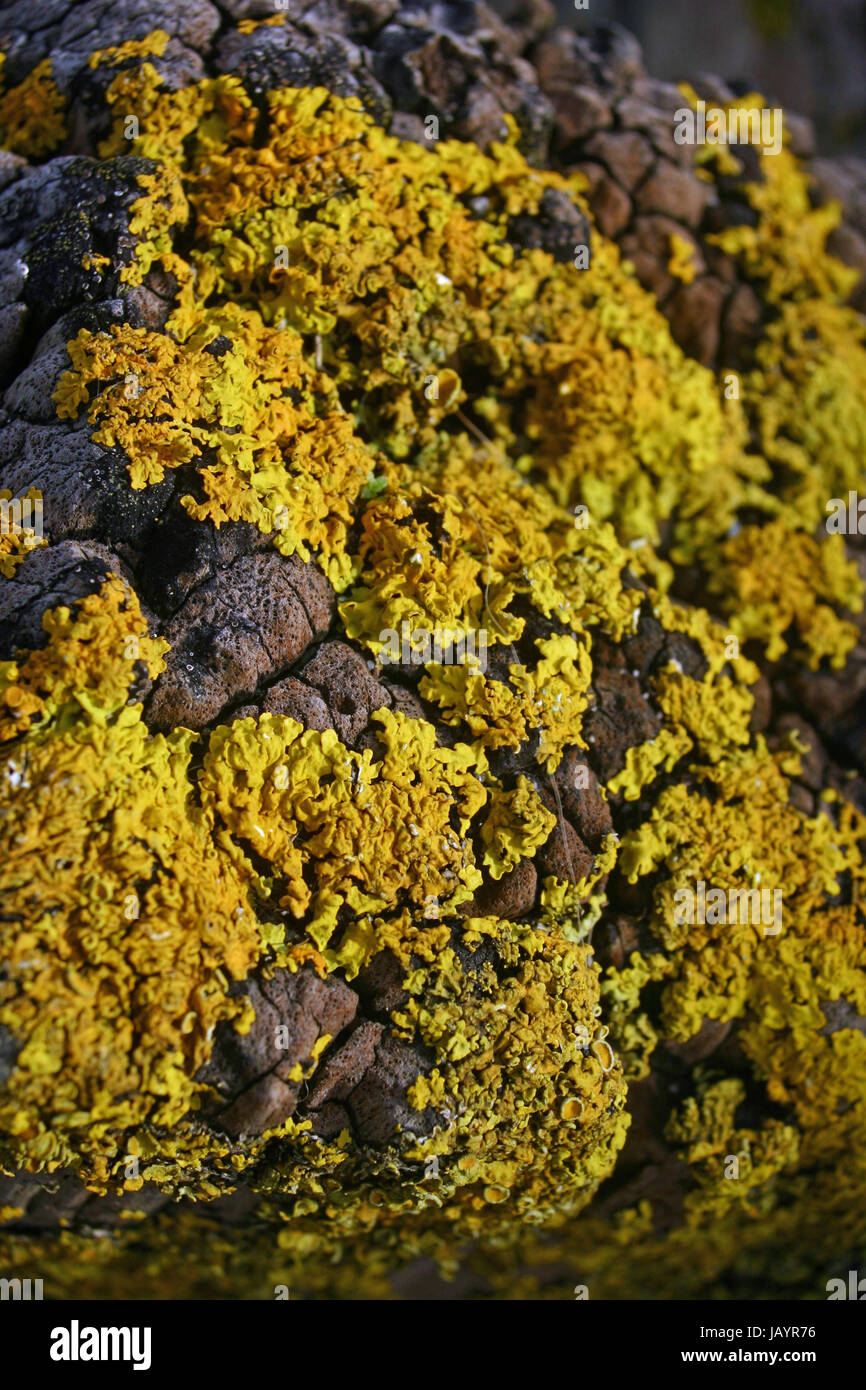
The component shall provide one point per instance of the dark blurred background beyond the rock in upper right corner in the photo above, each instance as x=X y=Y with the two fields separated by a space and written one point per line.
x=806 y=55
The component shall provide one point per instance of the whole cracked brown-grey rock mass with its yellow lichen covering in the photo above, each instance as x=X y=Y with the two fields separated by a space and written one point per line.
x=308 y=917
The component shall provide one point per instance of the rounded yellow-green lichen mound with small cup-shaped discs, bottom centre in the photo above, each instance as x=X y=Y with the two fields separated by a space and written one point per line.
x=529 y=1117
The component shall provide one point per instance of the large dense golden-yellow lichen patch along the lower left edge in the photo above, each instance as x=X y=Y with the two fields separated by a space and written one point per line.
x=126 y=926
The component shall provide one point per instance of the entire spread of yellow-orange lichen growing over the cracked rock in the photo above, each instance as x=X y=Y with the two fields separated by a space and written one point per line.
x=327 y=275
